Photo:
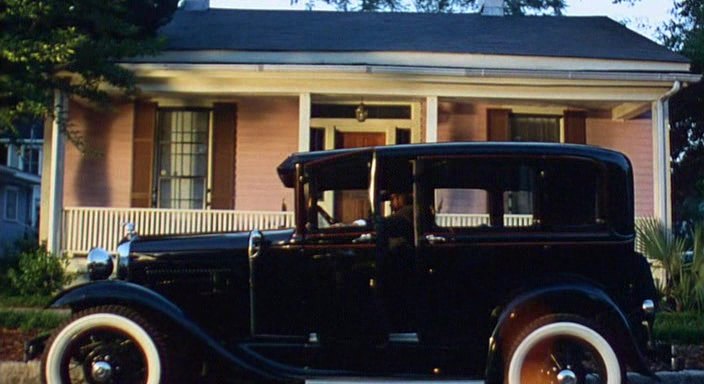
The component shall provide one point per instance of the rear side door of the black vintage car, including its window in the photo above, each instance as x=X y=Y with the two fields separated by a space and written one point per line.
x=461 y=246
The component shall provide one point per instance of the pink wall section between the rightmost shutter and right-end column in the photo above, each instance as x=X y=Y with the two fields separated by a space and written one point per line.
x=634 y=138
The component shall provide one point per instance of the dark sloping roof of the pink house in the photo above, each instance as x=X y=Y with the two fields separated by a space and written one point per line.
x=311 y=31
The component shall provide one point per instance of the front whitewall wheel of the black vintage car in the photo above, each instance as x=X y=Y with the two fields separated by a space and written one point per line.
x=107 y=344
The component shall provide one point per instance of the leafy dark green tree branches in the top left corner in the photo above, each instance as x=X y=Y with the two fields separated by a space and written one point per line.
x=71 y=46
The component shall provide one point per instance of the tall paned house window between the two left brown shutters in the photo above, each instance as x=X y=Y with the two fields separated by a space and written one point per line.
x=182 y=158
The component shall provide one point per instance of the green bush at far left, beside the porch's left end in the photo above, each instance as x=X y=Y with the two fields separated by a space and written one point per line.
x=39 y=273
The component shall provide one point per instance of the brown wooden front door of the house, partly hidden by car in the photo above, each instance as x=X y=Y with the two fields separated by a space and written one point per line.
x=353 y=205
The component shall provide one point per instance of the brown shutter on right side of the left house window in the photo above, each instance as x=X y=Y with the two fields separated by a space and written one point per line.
x=224 y=143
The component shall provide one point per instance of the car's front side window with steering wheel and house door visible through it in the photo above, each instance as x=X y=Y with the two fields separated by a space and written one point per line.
x=338 y=193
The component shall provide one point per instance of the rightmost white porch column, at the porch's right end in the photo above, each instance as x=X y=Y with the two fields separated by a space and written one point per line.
x=661 y=162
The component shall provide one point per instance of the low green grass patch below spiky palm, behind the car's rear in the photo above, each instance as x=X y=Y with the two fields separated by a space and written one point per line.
x=679 y=327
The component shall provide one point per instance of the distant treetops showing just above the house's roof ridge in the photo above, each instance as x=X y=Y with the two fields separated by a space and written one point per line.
x=513 y=7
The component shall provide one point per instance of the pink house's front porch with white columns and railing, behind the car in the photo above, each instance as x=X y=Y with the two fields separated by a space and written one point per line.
x=180 y=161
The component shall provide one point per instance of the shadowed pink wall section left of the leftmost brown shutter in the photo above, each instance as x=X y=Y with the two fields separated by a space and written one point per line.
x=101 y=176
